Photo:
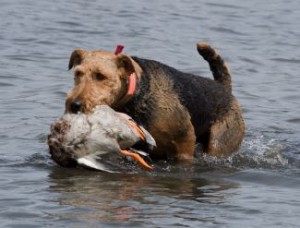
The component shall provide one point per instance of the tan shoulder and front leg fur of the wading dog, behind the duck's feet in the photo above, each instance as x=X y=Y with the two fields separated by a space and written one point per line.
x=171 y=122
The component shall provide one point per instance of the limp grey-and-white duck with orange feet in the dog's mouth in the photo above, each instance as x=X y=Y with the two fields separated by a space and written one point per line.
x=83 y=139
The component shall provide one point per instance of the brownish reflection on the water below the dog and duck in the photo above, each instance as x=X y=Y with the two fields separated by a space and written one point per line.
x=110 y=197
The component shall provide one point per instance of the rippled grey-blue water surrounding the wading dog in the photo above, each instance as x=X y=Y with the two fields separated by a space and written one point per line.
x=258 y=187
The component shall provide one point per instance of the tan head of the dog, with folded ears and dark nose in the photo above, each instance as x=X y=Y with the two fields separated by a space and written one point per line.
x=100 y=77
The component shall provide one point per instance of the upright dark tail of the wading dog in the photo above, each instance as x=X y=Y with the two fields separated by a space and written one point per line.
x=216 y=63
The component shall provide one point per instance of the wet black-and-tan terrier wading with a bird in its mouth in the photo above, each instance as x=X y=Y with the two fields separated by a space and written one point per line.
x=178 y=109
